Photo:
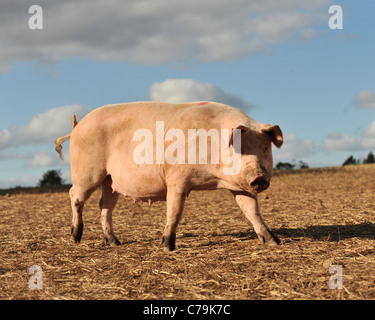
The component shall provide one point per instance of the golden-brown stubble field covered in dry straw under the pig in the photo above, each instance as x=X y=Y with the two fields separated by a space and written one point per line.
x=324 y=218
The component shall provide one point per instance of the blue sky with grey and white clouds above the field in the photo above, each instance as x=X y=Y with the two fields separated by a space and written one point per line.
x=277 y=60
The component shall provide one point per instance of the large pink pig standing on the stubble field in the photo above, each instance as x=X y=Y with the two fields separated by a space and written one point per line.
x=102 y=154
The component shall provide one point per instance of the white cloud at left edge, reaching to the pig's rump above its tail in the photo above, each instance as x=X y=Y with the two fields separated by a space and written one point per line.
x=43 y=127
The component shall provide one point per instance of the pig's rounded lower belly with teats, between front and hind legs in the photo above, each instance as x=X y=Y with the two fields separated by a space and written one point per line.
x=140 y=187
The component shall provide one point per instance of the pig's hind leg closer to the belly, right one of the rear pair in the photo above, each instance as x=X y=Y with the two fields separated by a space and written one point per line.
x=107 y=204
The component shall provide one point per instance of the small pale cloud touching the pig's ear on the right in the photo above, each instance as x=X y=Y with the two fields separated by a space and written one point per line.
x=294 y=148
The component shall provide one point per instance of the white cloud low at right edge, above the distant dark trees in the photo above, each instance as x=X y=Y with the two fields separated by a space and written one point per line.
x=338 y=141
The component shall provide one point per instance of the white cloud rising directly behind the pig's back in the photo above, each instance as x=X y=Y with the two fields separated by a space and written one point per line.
x=188 y=90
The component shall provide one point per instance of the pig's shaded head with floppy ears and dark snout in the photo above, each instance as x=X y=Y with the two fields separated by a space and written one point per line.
x=256 y=156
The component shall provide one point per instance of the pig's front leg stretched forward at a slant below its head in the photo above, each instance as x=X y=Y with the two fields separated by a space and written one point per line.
x=250 y=208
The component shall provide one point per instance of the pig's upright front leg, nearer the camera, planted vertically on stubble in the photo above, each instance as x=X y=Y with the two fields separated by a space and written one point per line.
x=175 y=207
